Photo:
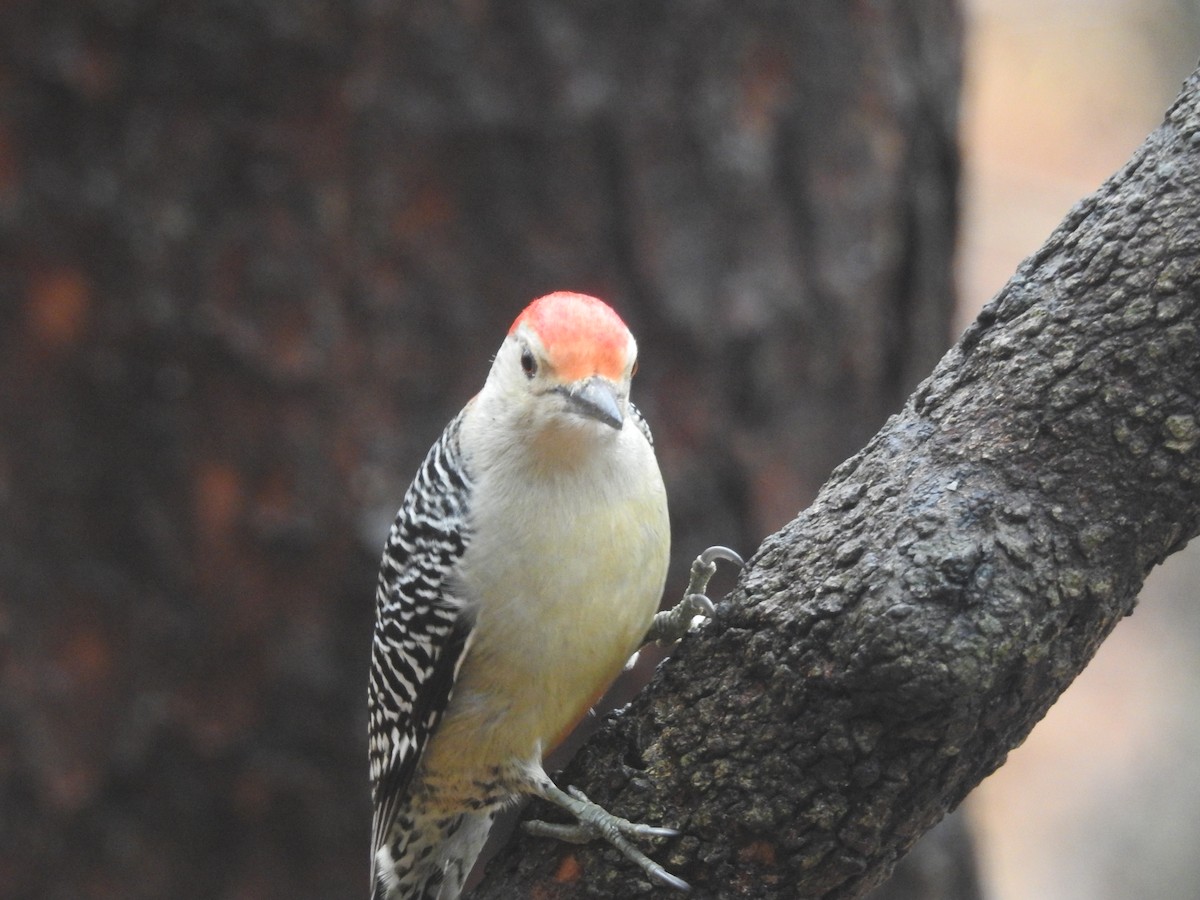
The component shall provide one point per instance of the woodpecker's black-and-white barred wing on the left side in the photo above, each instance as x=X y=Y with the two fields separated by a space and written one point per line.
x=422 y=634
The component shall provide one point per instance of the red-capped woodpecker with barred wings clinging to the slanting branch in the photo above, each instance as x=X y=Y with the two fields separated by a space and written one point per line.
x=524 y=569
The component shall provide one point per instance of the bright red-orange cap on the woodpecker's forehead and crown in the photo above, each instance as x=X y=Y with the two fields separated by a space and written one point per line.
x=581 y=334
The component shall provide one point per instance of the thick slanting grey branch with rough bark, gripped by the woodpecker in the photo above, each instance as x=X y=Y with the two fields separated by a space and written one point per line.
x=884 y=652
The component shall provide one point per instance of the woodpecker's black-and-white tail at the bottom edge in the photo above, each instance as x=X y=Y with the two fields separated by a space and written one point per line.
x=430 y=861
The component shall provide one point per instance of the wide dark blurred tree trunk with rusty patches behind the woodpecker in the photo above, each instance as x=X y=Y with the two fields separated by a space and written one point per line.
x=254 y=256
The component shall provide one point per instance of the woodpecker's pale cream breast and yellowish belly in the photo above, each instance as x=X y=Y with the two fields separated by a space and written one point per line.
x=563 y=573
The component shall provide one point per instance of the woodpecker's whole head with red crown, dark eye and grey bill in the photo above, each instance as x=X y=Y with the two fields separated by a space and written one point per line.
x=566 y=365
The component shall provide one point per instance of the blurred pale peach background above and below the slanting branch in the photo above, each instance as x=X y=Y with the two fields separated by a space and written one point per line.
x=1103 y=801
